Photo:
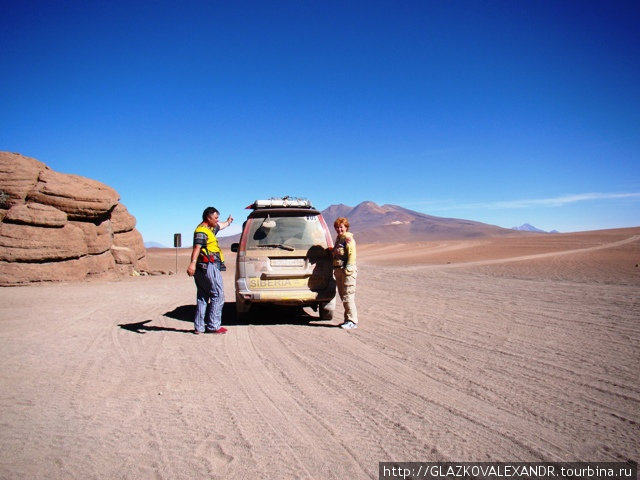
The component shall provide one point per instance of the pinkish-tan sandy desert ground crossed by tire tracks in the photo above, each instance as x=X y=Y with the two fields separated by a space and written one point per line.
x=509 y=349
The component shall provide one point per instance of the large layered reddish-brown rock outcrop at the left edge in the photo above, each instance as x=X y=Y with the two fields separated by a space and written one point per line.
x=62 y=227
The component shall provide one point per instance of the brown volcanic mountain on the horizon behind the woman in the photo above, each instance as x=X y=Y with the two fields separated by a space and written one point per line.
x=392 y=223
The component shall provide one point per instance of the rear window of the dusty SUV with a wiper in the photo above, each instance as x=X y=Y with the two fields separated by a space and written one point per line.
x=287 y=233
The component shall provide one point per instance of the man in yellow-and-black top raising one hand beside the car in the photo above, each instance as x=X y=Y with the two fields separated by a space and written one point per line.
x=205 y=268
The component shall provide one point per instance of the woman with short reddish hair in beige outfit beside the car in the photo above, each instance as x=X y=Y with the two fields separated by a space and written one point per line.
x=345 y=271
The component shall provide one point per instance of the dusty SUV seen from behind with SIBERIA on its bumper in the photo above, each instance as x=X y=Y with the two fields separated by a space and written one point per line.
x=283 y=258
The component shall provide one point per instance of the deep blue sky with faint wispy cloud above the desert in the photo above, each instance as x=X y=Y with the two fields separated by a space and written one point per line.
x=503 y=112
